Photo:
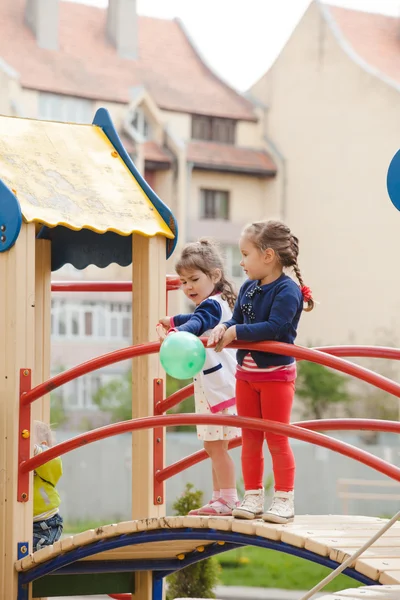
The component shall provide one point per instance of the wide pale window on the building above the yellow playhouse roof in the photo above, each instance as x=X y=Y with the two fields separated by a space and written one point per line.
x=55 y=107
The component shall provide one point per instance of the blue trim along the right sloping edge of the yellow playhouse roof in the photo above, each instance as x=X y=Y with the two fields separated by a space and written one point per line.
x=102 y=119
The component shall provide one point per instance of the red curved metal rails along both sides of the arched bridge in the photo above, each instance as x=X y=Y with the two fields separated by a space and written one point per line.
x=324 y=356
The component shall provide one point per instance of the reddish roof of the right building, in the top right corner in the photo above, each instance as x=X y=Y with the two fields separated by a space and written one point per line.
x=373 y=37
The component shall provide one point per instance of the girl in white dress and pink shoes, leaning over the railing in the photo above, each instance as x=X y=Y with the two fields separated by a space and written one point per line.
x=203 y=280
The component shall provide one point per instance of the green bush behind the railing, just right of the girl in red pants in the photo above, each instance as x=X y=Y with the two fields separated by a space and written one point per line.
x=320 y=389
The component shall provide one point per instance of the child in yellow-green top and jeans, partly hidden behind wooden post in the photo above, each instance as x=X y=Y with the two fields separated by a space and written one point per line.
x=47 y=522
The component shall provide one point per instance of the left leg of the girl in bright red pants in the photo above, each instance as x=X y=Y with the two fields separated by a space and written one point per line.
x=248 y=404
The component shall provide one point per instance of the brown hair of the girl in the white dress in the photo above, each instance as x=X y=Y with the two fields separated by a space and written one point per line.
x=204 y=255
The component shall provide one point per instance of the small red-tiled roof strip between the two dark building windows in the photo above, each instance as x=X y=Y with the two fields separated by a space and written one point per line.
x=224 y=157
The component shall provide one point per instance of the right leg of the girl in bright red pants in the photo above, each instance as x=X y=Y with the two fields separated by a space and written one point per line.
x=276 y=403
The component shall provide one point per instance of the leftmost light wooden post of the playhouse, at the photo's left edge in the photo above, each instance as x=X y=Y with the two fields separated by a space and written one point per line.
x=17 y=346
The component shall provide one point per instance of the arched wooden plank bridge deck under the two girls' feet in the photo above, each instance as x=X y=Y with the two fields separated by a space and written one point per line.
x=336 y=537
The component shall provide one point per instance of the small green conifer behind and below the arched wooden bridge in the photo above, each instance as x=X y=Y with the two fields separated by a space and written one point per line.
x=197 y=580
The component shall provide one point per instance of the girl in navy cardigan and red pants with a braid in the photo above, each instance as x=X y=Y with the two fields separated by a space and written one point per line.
x=268 y=308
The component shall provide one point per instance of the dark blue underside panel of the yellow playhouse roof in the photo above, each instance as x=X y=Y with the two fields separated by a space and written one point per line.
x=85 y=247
